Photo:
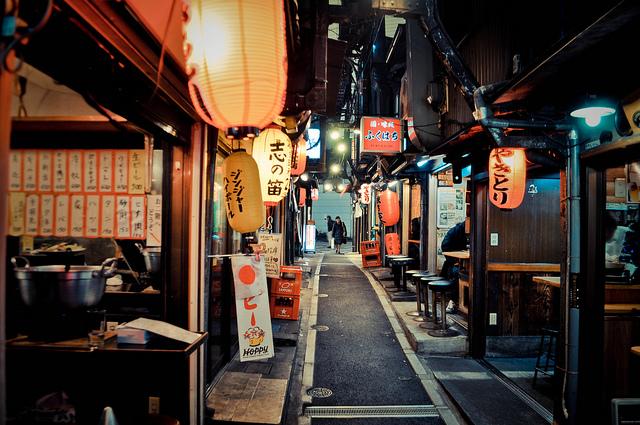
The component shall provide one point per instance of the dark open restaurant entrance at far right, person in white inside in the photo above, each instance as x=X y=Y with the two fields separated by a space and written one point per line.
x=610 y=302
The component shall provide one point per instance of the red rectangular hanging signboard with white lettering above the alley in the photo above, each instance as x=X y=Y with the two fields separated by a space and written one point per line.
x=381 y=135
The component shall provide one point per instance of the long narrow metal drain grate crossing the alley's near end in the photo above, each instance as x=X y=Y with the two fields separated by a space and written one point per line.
x=409 y=411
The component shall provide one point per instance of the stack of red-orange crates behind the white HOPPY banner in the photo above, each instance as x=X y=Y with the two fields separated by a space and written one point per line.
x=285 y=293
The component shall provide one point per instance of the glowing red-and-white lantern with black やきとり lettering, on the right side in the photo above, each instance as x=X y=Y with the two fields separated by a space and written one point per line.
x=507 y=177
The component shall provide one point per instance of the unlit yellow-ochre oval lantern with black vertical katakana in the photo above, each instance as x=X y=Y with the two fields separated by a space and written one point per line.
x=242 y=195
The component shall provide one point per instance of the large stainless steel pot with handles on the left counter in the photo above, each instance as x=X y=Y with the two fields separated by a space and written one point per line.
x=68 y=286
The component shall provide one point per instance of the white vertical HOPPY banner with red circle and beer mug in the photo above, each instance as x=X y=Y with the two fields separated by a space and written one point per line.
x=255 y=336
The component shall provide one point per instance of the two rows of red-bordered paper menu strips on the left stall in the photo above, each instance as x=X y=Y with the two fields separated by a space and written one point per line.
x=81 y=193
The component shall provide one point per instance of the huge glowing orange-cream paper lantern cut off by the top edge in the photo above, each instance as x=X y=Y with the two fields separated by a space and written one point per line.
x=236 y=60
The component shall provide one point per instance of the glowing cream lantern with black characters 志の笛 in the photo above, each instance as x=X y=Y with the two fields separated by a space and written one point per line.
x=272 y=152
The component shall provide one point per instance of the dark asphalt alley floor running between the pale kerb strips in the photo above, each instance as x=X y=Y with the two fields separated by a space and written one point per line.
x=358 y=357
